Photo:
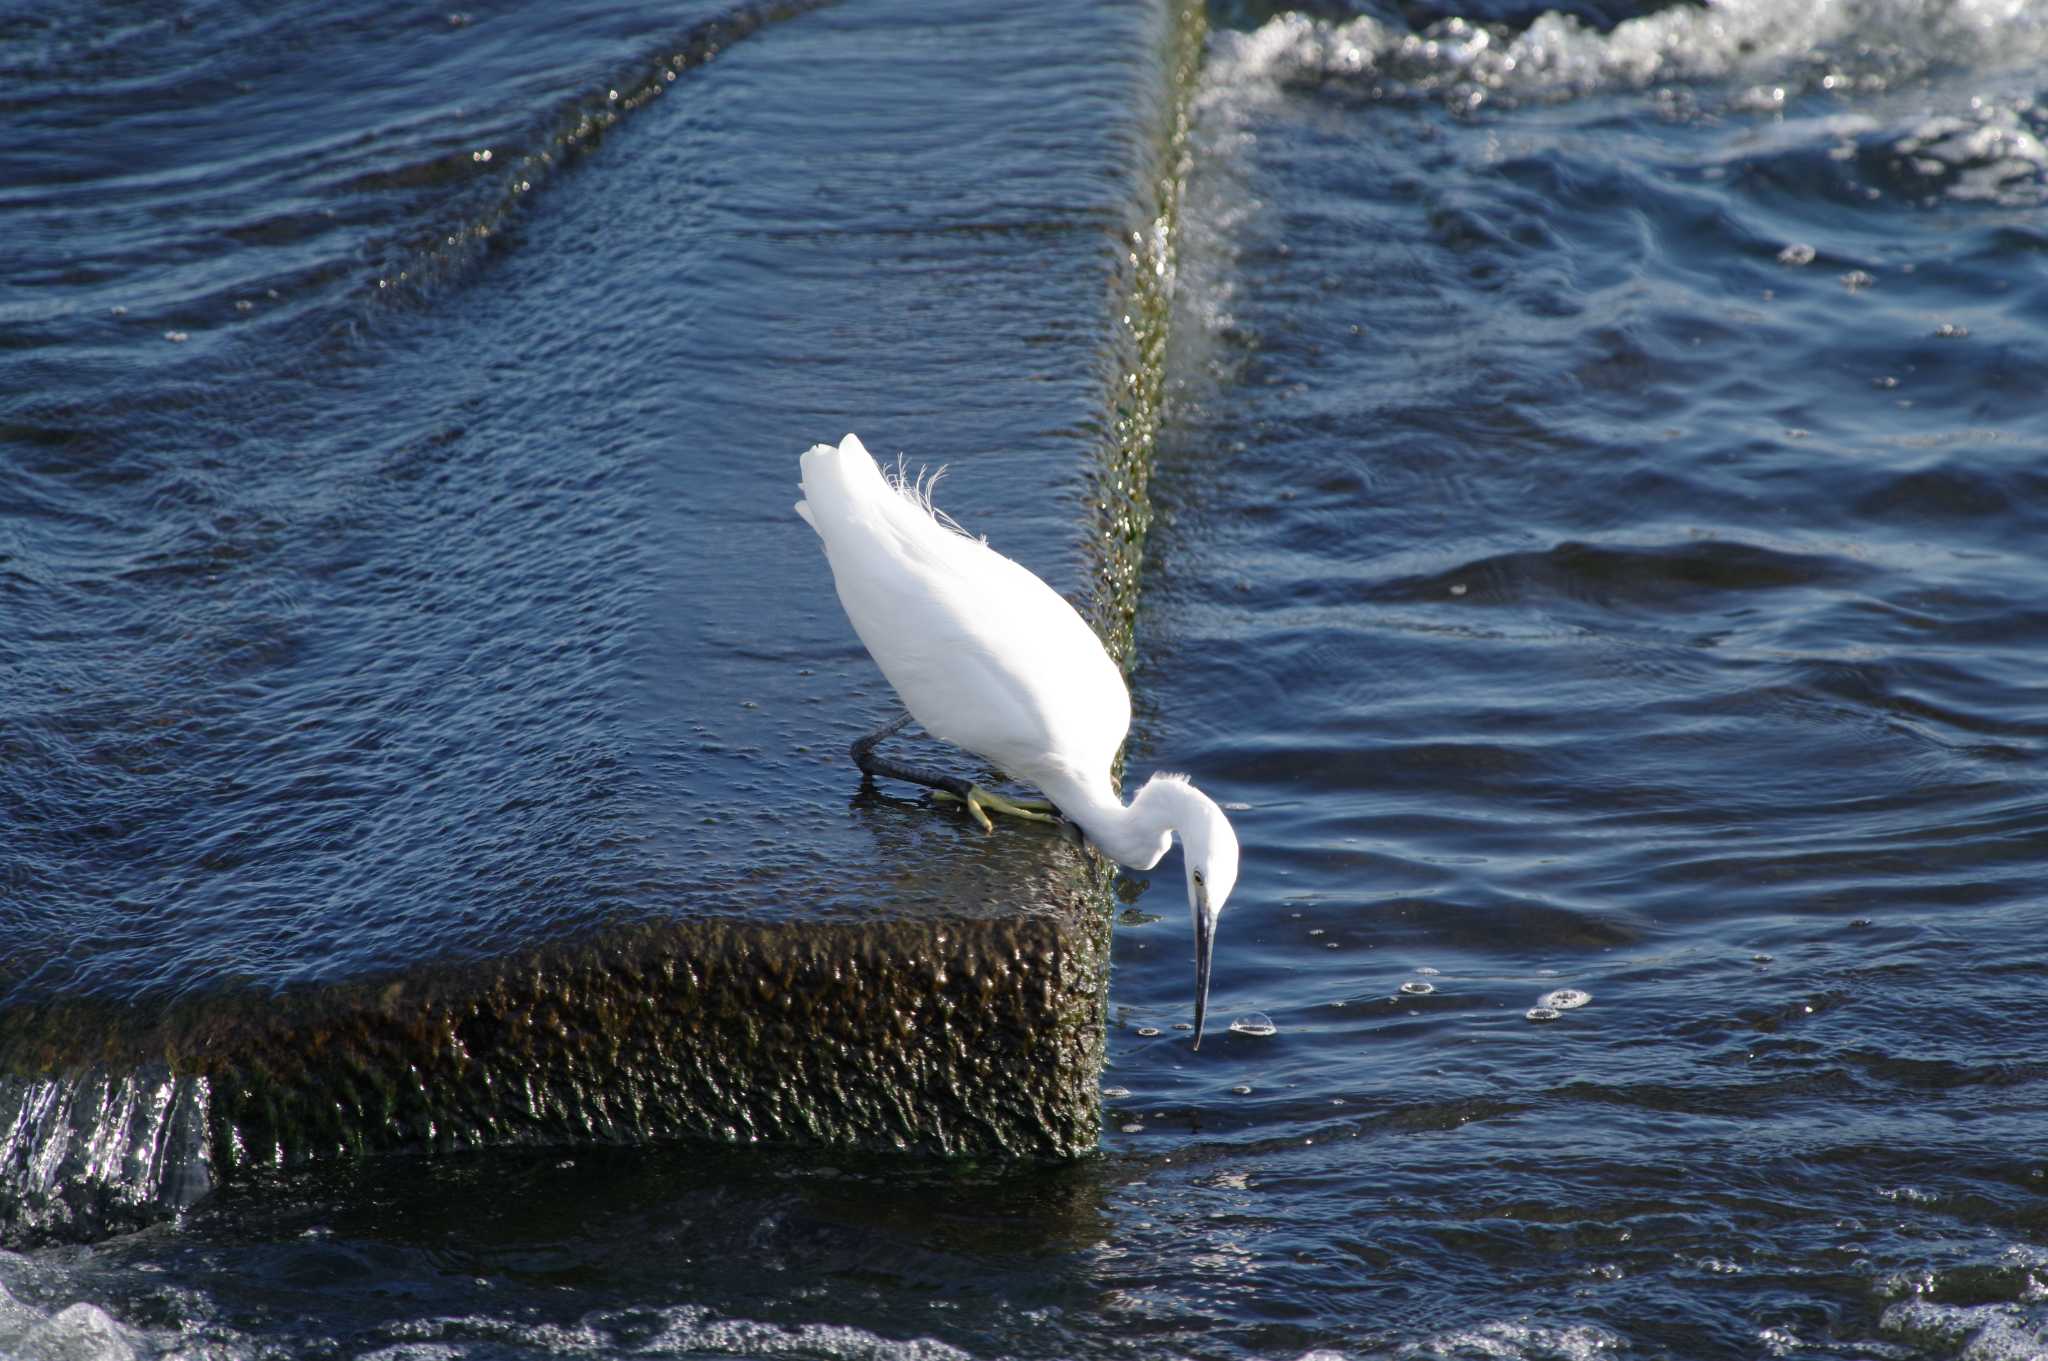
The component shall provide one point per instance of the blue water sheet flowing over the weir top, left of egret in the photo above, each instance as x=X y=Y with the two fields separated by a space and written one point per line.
x=404 y=572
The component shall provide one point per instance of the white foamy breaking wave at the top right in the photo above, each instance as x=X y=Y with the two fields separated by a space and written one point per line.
x=1736 y=56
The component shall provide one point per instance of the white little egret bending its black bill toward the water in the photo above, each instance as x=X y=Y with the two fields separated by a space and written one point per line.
x=992 y=660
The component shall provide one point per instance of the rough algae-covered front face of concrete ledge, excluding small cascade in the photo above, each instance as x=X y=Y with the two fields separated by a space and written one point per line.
x=964 y=1037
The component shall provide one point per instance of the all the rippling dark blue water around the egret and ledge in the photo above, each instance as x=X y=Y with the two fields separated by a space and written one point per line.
x=1598 y=547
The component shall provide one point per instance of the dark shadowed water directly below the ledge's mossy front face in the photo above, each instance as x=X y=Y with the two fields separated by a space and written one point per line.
x=650 y=1252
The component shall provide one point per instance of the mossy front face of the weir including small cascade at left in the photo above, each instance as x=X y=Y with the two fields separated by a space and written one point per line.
x=941 y=1037
